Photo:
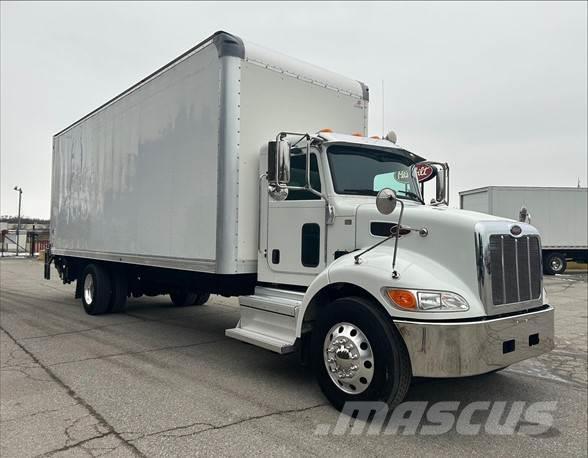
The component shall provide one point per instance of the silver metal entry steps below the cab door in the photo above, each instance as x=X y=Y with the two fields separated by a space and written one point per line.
x=268 y=319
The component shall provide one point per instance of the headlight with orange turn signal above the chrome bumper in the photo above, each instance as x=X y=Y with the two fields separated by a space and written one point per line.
x=426 y=301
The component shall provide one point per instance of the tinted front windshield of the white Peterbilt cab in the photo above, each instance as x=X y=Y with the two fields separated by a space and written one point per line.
x=365 y=171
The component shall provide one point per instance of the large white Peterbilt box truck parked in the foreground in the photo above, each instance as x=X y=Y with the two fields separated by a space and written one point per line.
x=235 y=170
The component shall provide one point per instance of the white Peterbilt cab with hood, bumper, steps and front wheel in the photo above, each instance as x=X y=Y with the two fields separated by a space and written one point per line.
x=375 y=285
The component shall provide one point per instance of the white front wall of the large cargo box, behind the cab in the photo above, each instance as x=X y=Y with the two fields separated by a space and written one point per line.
x=273 y=101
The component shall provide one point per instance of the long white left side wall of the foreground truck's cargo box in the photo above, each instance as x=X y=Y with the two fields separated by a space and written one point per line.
x=138 y=179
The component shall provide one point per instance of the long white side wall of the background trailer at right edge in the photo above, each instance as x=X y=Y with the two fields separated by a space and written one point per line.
x=560 y=215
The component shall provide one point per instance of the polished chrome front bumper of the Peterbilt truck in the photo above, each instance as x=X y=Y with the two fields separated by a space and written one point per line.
x=453 y=349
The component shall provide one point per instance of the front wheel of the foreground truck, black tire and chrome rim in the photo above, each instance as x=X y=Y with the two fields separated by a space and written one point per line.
x=384 y=372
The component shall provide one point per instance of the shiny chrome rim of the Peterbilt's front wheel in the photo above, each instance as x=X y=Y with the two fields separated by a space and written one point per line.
x=349 y=358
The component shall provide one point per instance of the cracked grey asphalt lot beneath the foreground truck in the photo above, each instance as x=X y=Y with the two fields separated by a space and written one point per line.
x=165 y=381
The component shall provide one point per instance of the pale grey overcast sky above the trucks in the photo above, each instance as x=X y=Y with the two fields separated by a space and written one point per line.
x=498 y=90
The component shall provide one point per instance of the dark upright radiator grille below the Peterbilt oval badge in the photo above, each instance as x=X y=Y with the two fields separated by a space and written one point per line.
x=515 y=267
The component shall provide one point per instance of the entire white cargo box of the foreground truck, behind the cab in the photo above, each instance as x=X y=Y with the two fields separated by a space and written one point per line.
x=167 y=173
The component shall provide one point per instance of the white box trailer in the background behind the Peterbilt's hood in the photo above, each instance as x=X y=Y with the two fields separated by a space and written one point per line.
x=560 y=214
